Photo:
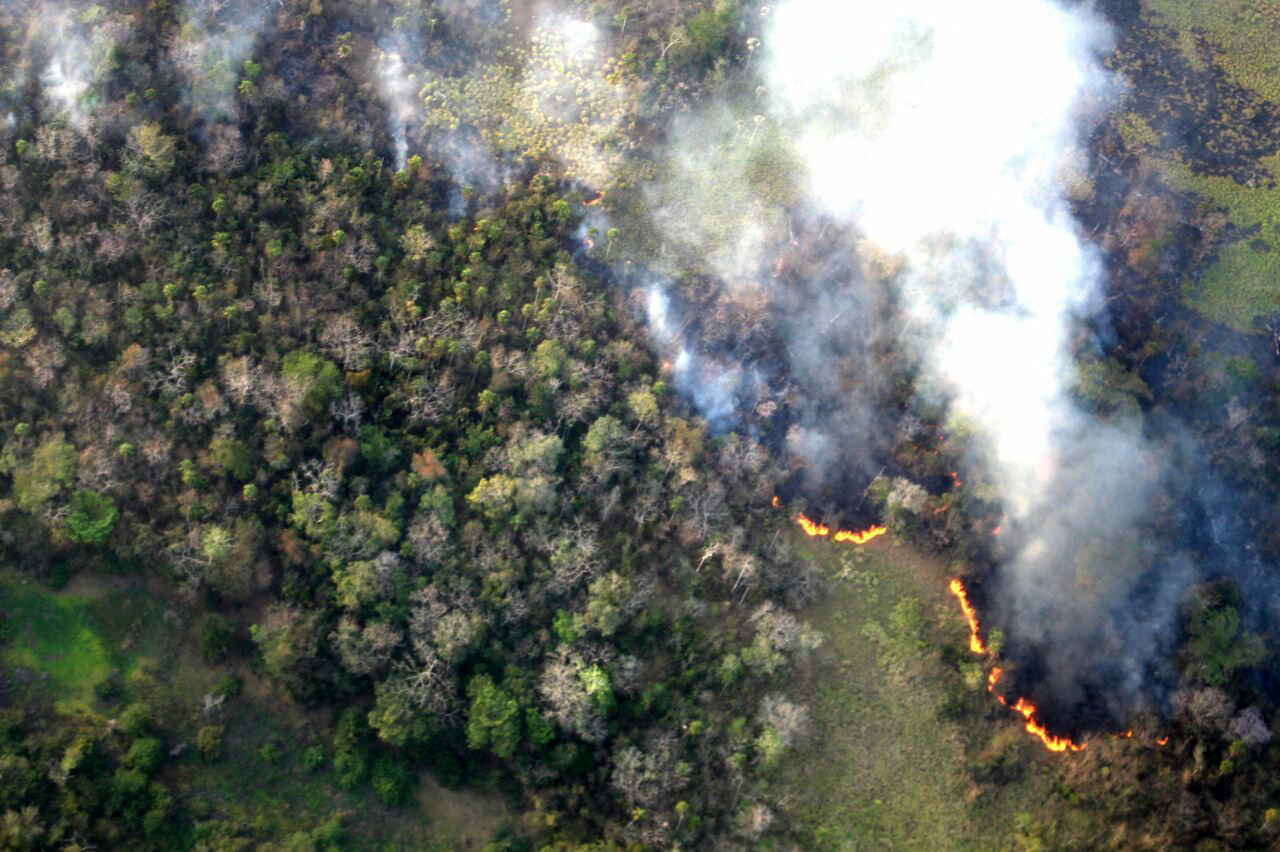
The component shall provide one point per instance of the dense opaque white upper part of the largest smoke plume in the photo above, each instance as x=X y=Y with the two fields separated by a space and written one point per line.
x=943 y=131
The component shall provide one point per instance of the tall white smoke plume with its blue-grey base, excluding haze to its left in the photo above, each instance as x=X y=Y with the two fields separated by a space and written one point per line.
x=949 y=136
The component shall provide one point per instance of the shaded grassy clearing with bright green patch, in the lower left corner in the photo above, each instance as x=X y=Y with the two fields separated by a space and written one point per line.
x=62 y=644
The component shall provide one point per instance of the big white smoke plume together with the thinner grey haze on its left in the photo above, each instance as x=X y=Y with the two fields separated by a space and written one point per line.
x=902 y=184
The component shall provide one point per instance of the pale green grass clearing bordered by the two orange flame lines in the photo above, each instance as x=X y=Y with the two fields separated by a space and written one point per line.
x=886 y=764
